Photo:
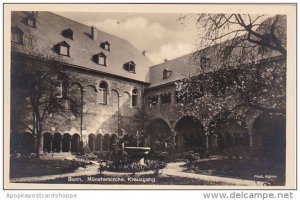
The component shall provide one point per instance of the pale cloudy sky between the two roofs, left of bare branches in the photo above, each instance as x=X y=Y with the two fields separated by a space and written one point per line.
x=162 y=35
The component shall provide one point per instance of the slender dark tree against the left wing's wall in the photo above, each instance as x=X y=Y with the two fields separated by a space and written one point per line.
x=34 y=86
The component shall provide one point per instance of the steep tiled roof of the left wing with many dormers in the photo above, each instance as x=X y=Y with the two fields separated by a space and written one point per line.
x=48 y=33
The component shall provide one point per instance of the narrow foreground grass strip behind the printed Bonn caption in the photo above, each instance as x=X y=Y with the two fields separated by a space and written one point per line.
x=157 y=180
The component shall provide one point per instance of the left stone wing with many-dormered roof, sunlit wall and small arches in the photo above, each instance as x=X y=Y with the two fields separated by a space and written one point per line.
x=103 y=78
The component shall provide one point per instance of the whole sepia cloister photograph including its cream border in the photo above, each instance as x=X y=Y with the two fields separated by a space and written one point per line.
x=149 y=96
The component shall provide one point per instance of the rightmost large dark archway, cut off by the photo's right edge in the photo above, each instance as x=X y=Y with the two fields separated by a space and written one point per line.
x=269 y=131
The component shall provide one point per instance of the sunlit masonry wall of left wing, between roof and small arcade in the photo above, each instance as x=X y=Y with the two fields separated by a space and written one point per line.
x=117 y=117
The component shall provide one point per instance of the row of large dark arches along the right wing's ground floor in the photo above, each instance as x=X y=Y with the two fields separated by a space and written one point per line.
x=266 y=134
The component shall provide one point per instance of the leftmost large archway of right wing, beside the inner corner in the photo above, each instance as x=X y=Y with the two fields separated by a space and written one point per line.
x=158 y=133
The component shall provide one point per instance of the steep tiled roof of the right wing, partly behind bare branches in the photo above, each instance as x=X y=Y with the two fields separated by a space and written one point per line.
x=190 y=65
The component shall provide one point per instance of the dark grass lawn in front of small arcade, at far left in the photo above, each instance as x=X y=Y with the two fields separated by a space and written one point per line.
x=28 y=167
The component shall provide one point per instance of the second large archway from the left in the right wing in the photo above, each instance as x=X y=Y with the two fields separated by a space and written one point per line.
x=189 y=135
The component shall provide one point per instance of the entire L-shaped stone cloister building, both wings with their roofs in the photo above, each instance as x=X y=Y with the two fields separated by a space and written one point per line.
x=107 y=89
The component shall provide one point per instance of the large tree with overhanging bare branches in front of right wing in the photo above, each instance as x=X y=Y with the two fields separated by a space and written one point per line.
x=242 y=64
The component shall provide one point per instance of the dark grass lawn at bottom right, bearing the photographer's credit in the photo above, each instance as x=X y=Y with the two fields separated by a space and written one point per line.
x=250 y=169
